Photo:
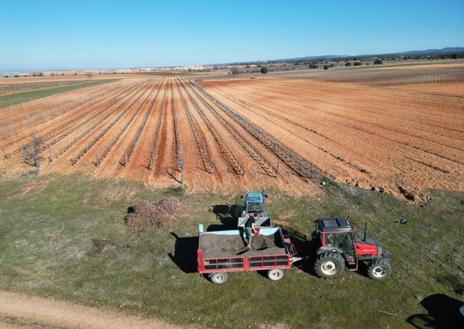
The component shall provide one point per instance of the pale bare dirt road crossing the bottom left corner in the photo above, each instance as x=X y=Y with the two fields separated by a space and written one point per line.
x=21 y=311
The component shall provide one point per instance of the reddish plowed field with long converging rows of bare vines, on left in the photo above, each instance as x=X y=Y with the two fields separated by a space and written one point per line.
x=163 y=132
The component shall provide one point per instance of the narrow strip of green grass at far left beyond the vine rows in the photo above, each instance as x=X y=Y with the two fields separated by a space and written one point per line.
x=21 y=97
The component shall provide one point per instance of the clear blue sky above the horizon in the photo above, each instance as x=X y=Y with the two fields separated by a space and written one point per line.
x=102 y=34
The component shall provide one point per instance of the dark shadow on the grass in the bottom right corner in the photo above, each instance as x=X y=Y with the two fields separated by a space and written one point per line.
x=443 y=313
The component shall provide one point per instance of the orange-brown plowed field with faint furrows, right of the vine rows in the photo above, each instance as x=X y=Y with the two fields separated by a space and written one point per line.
x=392 y=140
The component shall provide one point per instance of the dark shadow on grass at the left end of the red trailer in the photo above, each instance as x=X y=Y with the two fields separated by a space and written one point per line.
x=185 y=253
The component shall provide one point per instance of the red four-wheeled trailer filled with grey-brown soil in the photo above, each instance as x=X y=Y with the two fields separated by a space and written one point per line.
x=223 y=252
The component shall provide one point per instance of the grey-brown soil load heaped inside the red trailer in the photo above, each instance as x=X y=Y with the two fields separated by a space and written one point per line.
x=218 y=246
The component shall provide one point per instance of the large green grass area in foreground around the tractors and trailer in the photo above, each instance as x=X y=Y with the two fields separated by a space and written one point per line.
x=49 y=225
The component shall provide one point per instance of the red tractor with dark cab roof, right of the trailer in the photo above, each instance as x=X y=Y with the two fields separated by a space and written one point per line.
x=339 y=247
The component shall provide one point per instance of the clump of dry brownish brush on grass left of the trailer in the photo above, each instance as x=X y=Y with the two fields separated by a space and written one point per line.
x=161 y=214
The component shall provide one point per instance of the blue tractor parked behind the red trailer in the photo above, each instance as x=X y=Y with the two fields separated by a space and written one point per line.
x=254 y=204
